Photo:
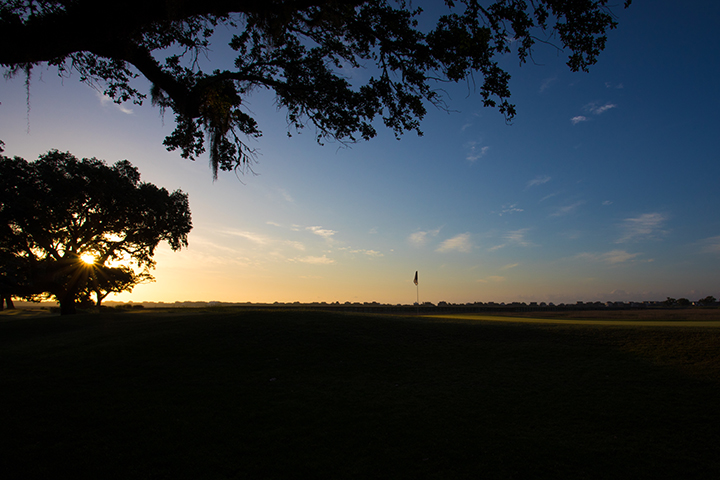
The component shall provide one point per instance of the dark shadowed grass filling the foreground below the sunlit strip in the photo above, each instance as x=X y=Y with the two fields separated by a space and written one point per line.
x=323 y=395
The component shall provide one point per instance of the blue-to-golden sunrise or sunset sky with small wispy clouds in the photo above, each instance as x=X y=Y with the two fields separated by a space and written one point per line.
x=603 y=188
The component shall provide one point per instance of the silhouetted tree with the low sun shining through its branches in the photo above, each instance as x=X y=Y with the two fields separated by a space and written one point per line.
x=70 y=227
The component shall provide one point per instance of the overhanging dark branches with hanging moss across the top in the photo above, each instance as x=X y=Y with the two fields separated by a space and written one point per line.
x=302 y=50
